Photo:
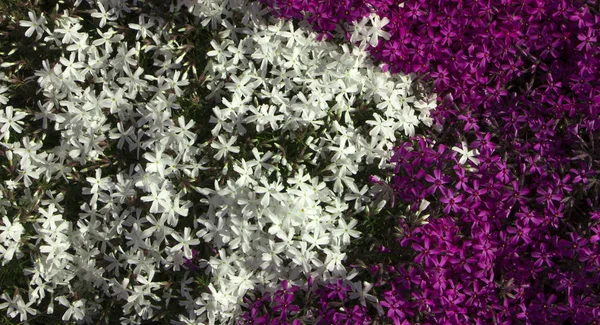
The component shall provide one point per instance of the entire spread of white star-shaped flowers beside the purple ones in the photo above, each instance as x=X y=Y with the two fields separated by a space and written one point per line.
x=295 y=123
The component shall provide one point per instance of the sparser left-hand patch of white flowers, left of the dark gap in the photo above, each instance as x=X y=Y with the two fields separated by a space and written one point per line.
x=99 y=105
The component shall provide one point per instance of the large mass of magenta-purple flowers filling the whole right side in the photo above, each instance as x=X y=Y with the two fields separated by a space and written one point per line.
x=503 y=223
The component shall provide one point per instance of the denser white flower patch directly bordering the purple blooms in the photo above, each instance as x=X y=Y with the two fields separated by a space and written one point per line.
x=298 y=121
